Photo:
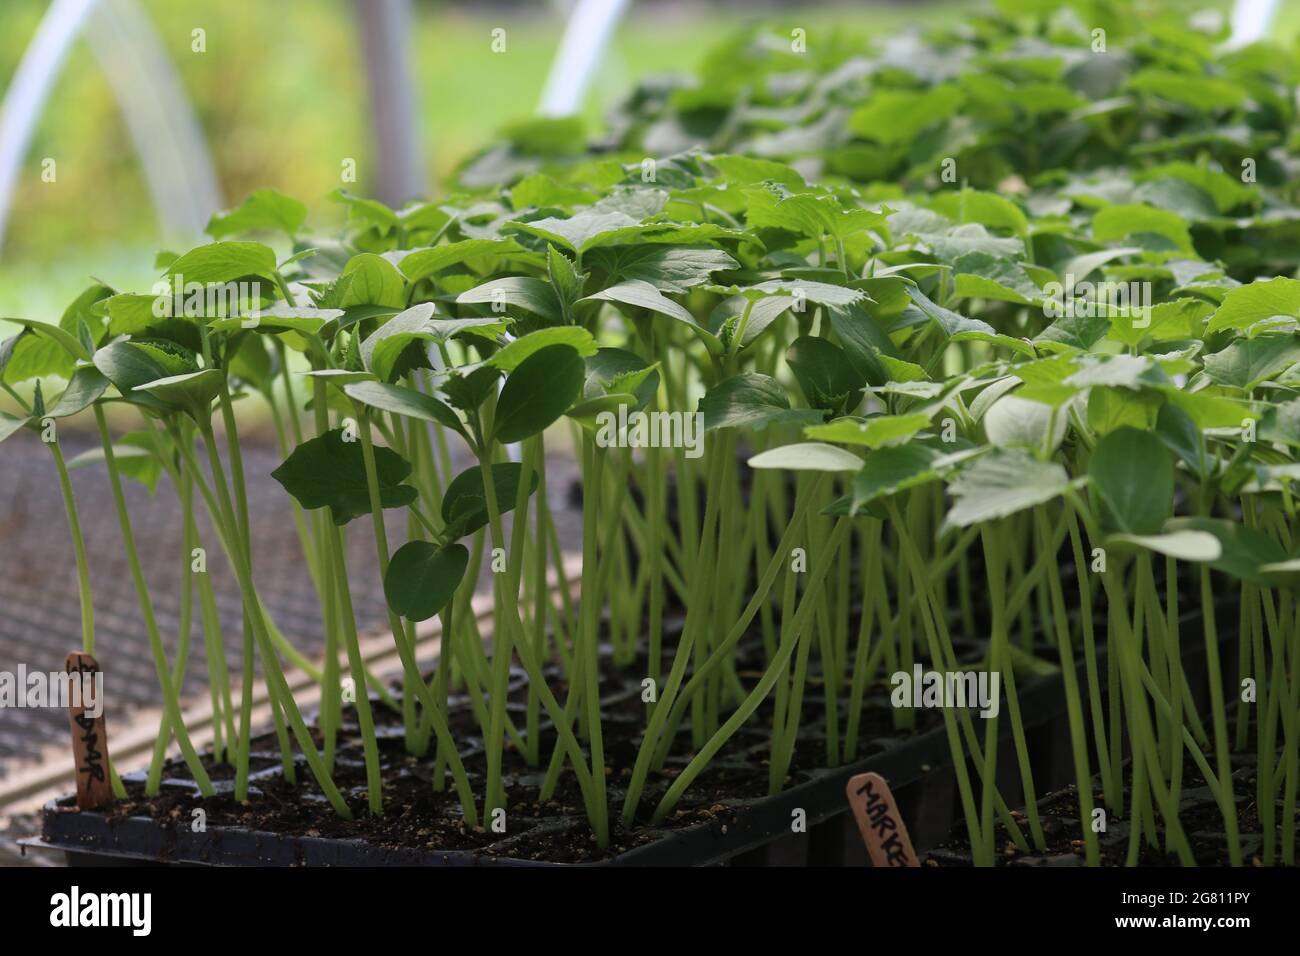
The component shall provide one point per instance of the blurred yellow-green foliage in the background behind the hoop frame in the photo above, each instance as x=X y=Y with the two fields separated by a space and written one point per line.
x=281 y=96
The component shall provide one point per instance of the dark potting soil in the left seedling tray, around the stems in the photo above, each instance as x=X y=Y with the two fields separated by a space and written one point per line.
x=556 y=830
